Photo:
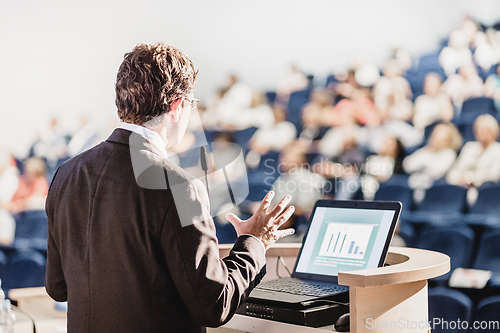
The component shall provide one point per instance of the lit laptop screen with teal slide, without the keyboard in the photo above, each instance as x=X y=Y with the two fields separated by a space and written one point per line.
x=347 y=238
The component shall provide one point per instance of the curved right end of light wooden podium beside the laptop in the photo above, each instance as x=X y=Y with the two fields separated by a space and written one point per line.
x=394 y=298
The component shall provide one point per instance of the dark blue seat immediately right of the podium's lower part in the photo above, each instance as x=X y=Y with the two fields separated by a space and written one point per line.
x=448 y=305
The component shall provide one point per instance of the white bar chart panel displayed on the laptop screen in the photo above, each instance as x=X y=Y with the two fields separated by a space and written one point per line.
x=346 y=240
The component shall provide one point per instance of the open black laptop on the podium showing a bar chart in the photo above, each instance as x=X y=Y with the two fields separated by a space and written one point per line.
x=342 y=236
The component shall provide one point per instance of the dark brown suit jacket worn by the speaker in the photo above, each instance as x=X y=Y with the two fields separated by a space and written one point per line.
x=119 y=254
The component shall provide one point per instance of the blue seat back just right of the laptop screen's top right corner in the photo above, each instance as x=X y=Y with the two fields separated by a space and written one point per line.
x=442 y=204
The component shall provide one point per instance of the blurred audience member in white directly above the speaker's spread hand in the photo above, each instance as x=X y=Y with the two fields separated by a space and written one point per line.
x=275 y=135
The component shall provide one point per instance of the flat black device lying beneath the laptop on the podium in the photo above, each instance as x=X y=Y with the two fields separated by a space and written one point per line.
x=316 y=316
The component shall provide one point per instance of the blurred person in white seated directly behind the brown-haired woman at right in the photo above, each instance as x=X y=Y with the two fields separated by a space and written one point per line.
x=433 y=105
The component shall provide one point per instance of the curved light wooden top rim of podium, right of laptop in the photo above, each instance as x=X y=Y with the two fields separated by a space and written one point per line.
x=404 y=265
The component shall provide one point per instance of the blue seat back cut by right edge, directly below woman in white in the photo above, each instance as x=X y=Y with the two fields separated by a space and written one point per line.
x=486 y=211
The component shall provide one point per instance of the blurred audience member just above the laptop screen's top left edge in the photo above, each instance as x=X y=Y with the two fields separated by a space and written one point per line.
x=343 y=169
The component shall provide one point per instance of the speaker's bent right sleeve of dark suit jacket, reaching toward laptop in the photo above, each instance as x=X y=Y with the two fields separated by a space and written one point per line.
x=212 y=288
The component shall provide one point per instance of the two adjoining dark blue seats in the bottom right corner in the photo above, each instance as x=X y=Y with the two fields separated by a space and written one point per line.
x=447 y=306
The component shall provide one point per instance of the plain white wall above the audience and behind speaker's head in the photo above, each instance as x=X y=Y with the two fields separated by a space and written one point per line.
x=60 y=57
